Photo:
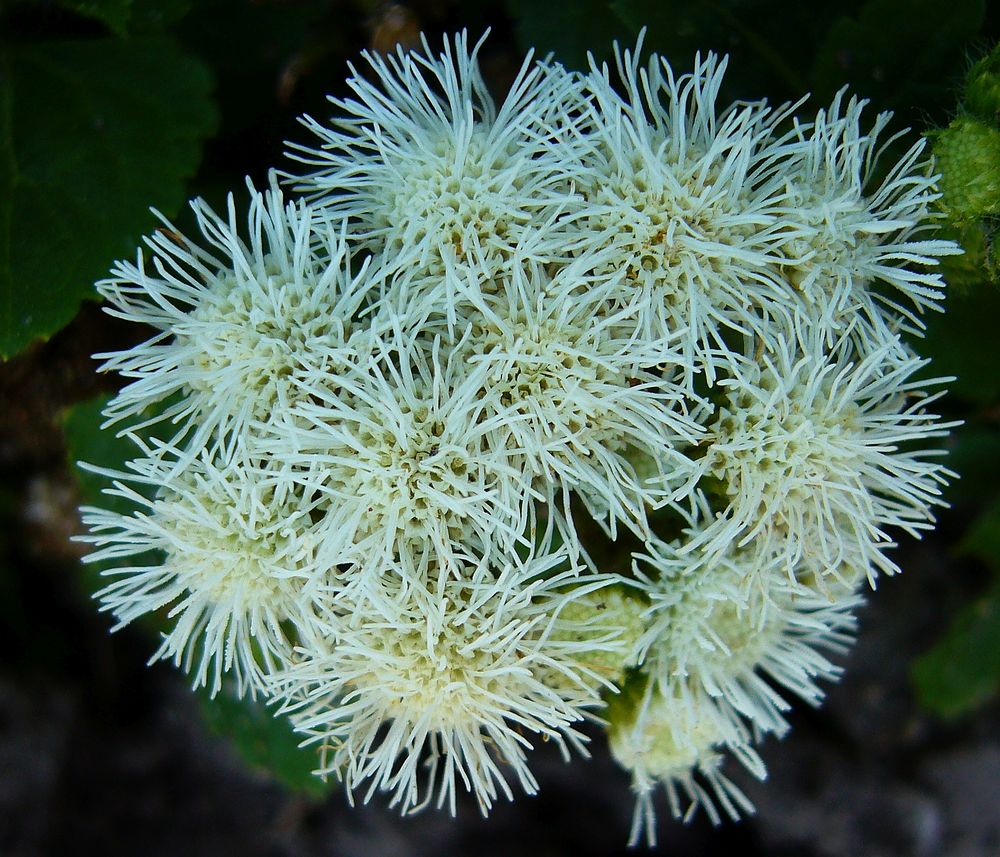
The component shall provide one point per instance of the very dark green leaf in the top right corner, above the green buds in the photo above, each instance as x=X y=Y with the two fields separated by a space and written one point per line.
x=906 y=55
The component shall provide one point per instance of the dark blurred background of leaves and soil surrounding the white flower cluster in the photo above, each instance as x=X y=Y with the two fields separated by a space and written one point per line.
x=109 y=106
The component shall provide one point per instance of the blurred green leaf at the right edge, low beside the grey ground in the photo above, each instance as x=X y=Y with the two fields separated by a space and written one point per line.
x=962 y=671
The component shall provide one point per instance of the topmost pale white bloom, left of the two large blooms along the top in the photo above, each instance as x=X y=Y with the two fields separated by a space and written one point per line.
x=432 y=172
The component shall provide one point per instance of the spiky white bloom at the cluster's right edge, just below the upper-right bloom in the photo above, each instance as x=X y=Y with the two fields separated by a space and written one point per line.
x=824 y=450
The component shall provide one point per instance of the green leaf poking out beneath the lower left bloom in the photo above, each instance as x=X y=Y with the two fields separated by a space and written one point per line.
x=264 y=741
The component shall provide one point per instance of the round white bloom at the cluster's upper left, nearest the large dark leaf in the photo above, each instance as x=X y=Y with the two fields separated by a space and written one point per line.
x=238 y=319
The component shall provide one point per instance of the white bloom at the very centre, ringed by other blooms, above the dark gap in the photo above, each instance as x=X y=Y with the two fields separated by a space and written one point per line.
x=577 y=388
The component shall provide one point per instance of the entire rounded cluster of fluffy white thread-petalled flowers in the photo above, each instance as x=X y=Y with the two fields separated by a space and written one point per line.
x=388 y=431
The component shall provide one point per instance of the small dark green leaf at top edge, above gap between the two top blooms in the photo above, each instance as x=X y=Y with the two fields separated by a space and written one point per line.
x=569 y=29
